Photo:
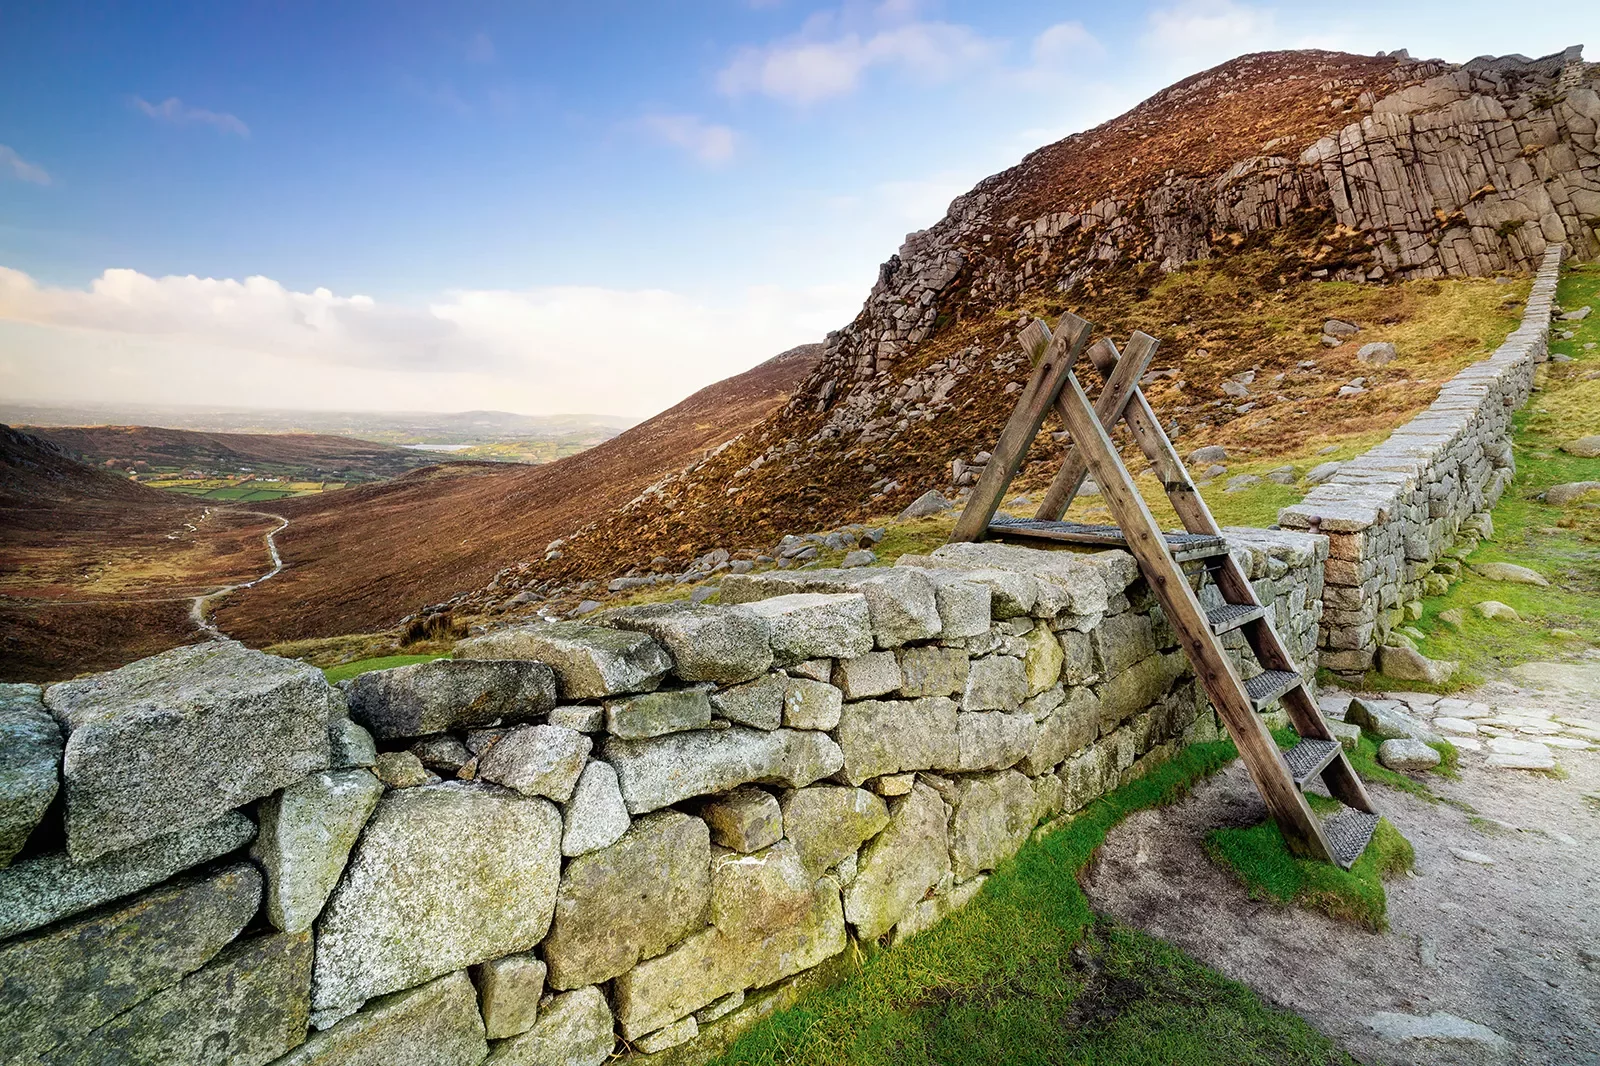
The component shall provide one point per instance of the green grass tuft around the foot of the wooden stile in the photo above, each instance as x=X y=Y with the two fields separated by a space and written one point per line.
x=1270 y=872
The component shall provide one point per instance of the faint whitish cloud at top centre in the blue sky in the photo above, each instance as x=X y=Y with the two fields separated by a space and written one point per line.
x=834 y=52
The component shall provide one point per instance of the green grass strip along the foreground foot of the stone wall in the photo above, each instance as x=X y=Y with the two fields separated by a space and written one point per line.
x=1025 y=974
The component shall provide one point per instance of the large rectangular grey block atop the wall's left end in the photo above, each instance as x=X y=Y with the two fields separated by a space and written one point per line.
x=175 y=740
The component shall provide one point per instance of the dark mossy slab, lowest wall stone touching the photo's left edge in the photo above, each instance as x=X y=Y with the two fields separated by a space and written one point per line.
x=60 y=985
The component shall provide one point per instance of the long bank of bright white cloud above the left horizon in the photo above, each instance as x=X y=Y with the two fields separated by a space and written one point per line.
x=193 y=340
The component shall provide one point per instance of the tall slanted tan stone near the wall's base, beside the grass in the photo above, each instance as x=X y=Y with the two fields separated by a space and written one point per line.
x=902 y=864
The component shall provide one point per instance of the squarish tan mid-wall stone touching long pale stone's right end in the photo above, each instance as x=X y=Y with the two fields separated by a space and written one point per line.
x=881 y=737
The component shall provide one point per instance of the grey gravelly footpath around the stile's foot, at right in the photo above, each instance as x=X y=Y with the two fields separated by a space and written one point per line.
x=1494 y=952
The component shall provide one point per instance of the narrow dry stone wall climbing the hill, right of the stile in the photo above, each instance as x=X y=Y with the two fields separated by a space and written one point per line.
x=1402 y=516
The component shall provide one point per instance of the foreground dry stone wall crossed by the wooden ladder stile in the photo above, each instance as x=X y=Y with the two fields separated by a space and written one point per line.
x=633 y=835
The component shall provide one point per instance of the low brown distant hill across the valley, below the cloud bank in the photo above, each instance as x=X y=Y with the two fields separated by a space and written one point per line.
x=311 y=455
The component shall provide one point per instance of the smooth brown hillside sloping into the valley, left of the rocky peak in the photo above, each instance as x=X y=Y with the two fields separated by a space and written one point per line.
x=364 y=558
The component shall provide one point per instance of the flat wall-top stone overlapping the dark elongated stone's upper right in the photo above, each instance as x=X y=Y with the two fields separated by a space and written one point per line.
x=590 y=662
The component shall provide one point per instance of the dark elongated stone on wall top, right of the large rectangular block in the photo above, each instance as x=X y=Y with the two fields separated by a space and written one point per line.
x=450 y=695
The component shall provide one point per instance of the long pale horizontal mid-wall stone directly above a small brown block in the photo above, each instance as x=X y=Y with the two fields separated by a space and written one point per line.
x=670 y=769
